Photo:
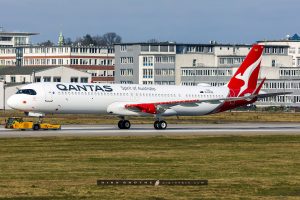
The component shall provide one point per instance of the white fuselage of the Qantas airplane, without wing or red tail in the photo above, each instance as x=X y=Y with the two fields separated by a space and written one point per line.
x=104 y=98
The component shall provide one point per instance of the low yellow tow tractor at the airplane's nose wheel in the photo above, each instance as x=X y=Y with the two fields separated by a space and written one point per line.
x=19 y=123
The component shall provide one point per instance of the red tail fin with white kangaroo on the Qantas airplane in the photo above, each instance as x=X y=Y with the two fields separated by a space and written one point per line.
x=244 y=80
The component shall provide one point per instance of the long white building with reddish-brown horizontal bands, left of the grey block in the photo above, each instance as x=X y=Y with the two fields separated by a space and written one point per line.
x=98 y=61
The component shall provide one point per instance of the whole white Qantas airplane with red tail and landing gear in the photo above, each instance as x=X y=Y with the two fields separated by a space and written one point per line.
x=39 y=99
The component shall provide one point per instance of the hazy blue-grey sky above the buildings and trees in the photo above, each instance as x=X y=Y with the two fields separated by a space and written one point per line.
x=188 y=21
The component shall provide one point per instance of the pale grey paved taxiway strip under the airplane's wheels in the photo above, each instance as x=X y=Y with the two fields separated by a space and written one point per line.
x=173 y=129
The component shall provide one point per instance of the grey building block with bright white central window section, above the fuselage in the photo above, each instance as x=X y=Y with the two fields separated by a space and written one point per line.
x=145 y=63
